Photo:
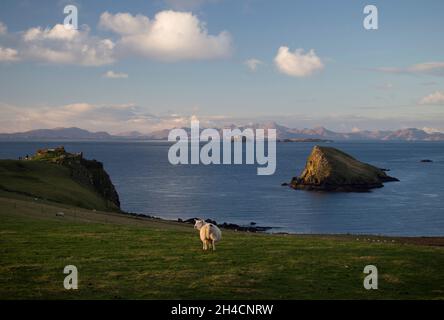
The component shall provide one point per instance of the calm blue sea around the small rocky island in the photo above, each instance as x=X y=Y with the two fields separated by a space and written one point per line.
x=147 y=183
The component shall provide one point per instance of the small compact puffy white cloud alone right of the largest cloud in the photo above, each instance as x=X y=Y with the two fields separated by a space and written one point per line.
x=297 y=64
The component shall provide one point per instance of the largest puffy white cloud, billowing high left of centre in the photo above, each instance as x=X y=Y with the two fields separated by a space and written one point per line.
x=170 y=36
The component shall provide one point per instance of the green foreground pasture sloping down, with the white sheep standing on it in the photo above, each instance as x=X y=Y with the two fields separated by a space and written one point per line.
x=124 y=257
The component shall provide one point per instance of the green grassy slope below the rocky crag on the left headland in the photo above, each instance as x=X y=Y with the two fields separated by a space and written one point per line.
x=47 y=181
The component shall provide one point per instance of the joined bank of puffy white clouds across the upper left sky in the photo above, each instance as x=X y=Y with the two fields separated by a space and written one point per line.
x=169 y=36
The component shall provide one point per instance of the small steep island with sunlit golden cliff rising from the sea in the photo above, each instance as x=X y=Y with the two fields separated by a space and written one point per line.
x=330 y=169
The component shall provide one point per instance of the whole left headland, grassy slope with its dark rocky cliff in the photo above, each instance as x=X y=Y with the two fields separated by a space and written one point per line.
x=58 y=176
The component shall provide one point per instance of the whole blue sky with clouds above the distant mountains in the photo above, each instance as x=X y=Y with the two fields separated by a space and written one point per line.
x=141 y=65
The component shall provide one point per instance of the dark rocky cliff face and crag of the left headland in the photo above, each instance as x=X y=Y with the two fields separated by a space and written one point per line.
x=86 y=172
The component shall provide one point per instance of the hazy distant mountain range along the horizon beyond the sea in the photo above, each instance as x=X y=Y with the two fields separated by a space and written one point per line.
x=283 y=132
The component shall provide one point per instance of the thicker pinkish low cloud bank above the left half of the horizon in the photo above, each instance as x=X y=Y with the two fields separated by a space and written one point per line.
x=94 y=117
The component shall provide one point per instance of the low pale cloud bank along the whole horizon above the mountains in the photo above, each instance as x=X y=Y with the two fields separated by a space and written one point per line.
x=129 y=117
